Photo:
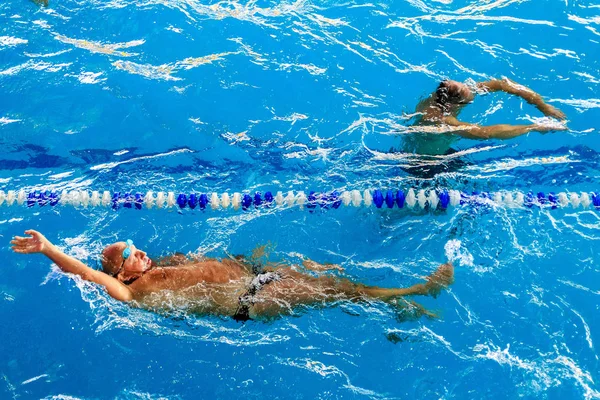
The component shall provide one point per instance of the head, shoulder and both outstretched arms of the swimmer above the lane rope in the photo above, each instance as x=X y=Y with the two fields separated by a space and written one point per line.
x=443 y=106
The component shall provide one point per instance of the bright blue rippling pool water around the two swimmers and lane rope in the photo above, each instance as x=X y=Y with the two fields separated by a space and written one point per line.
x=228 y=96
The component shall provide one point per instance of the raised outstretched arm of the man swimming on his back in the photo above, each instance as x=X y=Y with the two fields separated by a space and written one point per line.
x=37 y=243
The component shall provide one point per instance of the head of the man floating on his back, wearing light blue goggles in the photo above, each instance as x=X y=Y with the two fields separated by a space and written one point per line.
x=124 y=261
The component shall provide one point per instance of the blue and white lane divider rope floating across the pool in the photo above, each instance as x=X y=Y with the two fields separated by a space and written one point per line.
x=430 y=199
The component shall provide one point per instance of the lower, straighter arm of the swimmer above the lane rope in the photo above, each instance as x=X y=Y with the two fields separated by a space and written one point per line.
x=501 y=131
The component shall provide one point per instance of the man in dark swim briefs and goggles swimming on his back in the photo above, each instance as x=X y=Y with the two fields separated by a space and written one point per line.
x=229 y=287
